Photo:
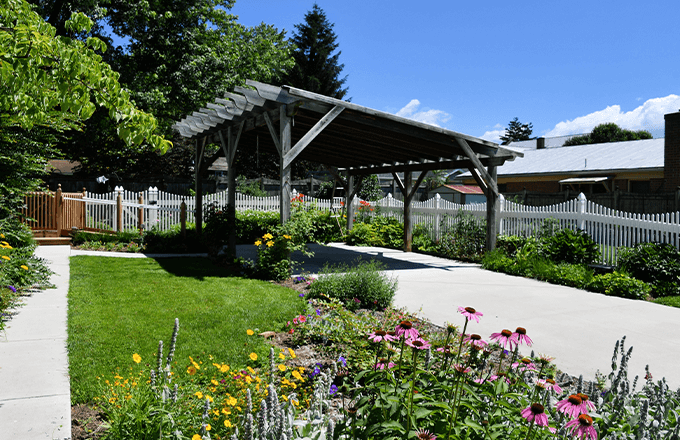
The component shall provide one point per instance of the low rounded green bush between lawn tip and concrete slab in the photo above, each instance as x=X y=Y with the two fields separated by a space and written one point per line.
x=360 y=285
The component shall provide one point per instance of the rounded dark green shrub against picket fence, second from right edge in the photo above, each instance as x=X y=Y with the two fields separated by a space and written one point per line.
x=568 y=246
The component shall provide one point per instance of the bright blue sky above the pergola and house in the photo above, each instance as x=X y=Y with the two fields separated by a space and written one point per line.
x=473 y=66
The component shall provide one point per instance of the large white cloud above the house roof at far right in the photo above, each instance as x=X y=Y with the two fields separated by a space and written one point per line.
x=645 y=117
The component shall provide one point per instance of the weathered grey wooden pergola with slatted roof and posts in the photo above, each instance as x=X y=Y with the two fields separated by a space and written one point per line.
x=351 y=141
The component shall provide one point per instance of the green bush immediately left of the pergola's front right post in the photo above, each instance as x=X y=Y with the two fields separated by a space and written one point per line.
x=465 y=240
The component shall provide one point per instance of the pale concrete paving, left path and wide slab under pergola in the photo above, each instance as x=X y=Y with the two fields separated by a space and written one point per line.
x=578 y=328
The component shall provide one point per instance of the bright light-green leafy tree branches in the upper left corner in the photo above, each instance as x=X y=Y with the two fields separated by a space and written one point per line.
x=47 y=86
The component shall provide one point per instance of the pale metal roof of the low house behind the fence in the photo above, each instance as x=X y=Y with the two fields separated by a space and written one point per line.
x=644 y=154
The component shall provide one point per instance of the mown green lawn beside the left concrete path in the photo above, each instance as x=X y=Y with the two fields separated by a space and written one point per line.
x=121 y=306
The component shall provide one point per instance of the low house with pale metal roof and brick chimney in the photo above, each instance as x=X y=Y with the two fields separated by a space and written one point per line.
x=643 y=166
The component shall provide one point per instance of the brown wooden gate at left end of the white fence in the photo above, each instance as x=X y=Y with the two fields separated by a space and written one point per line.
x=54 y=211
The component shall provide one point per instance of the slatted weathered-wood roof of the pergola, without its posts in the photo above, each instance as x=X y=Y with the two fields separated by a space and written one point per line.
x=346 y=135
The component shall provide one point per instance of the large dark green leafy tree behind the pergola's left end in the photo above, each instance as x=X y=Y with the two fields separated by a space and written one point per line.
x=177 y=56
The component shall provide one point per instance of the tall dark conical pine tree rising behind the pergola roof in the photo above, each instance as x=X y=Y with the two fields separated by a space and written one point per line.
x=316 y=66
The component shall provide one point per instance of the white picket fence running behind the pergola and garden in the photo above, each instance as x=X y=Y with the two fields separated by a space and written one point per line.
x=610 y=229
